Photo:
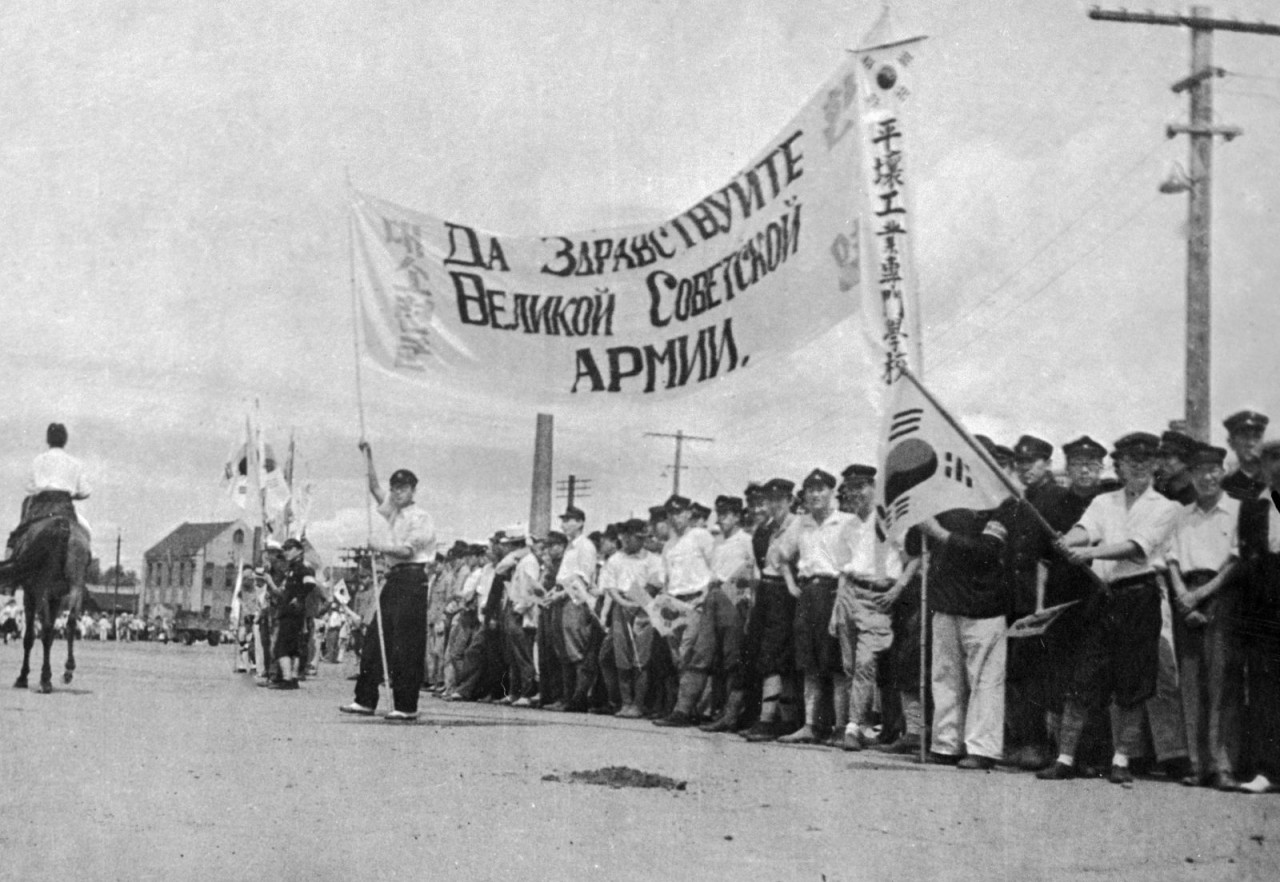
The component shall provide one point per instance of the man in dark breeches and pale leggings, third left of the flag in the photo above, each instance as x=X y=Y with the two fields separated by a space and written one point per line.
x=770 y=650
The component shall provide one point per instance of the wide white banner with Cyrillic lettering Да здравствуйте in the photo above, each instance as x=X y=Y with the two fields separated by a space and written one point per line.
x=760 y=267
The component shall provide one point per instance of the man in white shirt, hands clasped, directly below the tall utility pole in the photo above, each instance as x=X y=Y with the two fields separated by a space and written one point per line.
x=1203 y=557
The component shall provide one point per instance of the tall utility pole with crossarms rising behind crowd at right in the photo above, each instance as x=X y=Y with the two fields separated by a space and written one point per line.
x=1201 y=131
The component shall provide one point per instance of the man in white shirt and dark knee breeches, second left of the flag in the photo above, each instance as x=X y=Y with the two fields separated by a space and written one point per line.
x=811 y=557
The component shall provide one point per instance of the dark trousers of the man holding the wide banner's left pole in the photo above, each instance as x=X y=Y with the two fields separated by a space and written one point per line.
x=404 y=613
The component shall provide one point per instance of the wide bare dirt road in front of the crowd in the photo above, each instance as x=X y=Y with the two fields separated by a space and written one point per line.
x=158 y=762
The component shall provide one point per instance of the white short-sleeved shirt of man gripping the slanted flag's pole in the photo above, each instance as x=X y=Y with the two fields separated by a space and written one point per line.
x=1149 y=524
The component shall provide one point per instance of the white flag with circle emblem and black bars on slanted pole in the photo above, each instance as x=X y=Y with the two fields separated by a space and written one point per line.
x=930 y=464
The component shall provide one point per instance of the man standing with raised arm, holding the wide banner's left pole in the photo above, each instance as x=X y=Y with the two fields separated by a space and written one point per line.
x=403 y=604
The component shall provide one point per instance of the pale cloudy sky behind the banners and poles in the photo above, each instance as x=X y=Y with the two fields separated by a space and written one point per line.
x=173 y=237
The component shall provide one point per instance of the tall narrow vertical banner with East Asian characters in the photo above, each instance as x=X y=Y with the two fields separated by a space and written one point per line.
x=892 y=301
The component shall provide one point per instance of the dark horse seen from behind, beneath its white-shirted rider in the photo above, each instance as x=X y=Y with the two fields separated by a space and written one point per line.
x=51 y=555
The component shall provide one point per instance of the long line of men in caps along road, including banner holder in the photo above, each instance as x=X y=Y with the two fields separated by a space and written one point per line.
x=789 y=619
